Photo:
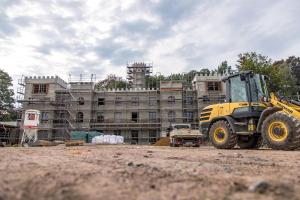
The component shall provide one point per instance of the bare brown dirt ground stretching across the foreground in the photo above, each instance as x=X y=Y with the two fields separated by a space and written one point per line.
x=147 y=172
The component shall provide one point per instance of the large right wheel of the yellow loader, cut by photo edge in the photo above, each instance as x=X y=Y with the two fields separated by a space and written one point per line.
x=281 y=131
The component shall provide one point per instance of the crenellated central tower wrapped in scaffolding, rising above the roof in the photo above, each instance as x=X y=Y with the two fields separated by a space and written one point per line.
x=137 y=73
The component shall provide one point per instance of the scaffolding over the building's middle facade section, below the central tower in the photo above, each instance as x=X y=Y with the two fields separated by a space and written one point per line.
x=118 y=109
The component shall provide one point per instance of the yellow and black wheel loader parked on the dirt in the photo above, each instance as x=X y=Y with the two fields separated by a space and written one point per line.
x=250 y=116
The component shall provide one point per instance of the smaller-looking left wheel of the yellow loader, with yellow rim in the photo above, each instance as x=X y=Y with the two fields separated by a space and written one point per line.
x=222 y=136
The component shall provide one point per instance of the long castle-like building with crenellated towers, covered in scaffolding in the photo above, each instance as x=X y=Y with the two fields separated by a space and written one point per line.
x=137 y=112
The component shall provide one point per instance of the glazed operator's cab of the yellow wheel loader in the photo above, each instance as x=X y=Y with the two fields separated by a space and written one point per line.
x=245 y=92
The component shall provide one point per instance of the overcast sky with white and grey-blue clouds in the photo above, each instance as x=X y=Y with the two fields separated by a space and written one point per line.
x=44 y=37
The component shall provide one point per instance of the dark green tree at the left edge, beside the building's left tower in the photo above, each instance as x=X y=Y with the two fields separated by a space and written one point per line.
x=7 y=112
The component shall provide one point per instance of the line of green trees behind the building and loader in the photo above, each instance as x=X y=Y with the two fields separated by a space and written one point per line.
x=284 y=74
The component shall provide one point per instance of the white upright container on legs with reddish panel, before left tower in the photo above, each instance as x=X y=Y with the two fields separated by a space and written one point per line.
x=31 y=124
